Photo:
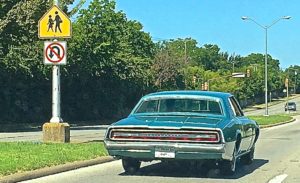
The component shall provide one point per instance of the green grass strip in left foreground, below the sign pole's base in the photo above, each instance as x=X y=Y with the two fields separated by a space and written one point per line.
x=23 y=156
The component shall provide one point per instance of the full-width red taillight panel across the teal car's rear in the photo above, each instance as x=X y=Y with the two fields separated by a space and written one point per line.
x=178 y=136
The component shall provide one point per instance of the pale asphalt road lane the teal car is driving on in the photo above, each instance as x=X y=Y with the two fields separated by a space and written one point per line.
x=276 y=160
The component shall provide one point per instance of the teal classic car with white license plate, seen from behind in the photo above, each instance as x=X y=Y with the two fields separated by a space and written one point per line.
x=195 y=126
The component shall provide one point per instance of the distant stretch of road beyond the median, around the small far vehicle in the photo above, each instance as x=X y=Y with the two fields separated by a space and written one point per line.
x=275 y=109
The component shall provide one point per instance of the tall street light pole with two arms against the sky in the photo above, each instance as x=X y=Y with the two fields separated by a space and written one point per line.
x=266 y=27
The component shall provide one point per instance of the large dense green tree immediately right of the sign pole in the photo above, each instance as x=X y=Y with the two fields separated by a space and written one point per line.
x=109 y=62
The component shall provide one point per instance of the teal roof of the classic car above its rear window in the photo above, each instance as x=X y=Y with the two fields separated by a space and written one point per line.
x=222 y=95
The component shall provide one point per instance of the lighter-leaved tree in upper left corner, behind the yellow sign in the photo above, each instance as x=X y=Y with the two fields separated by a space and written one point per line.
x=21 y=48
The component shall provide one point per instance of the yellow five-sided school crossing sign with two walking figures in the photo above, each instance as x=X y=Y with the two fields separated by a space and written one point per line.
x=55 y=24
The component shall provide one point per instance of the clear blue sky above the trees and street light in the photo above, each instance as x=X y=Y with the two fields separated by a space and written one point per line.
x=219 y=22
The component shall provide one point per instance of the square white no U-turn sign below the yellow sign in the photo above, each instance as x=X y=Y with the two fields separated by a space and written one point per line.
x=55 y=53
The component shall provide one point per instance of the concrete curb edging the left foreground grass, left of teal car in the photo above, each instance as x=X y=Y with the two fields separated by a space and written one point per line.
x=53 y=170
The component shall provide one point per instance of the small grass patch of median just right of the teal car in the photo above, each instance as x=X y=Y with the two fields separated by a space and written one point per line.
x=272 y=119
